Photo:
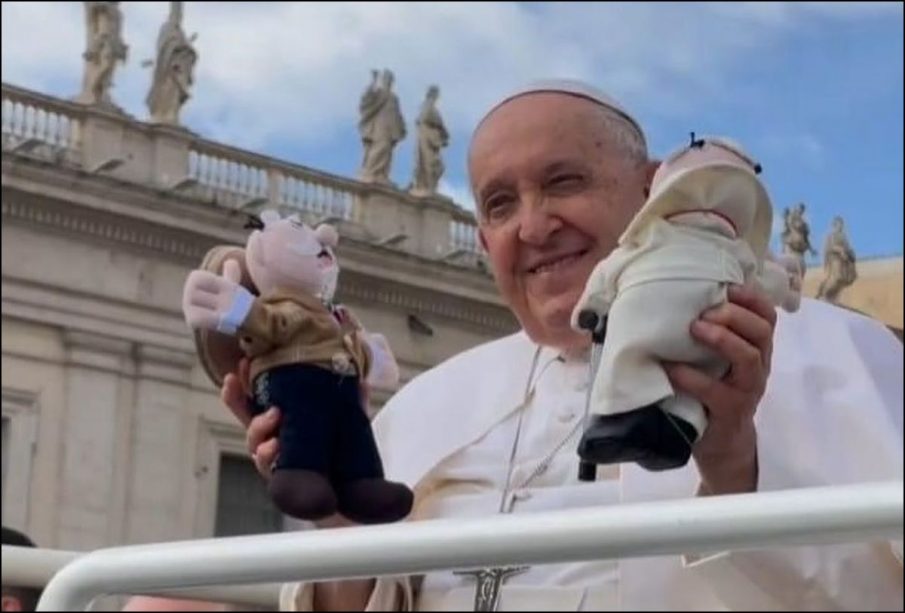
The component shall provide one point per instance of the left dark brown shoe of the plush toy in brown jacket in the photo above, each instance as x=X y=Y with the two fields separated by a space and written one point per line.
x=303 y=494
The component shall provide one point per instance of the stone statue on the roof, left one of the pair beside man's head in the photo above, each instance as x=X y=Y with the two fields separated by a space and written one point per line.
x=381 y=127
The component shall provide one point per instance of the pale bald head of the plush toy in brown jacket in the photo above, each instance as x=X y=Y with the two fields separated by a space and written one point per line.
x=286 y=253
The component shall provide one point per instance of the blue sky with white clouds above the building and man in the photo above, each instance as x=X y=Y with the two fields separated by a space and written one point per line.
x=813 y=90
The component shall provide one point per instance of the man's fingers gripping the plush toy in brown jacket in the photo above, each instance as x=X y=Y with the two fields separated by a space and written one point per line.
x=261 y=430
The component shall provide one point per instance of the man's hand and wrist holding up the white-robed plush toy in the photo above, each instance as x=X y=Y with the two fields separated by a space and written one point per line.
x=741 y=330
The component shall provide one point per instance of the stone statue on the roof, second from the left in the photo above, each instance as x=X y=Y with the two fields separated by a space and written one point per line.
x=176 y=58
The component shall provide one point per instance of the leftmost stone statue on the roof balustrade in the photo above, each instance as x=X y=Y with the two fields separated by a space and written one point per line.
x=105 y=47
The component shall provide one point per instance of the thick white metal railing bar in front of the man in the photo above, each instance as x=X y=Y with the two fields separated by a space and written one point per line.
x=824 y=515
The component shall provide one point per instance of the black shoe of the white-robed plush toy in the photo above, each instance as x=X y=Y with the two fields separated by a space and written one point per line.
x=648 y=436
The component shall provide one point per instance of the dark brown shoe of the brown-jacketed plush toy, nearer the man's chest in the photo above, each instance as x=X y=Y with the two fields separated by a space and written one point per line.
x=374 y=501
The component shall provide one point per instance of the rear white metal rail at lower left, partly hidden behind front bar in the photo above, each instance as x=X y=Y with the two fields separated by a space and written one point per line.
x=31 y=567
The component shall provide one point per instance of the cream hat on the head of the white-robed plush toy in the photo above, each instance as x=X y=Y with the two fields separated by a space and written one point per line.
x=710 y=174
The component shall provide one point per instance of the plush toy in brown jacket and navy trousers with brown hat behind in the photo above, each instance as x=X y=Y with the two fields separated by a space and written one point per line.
x=271 y=302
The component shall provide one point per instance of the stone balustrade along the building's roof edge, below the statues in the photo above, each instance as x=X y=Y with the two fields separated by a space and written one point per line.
x=103 y=142
